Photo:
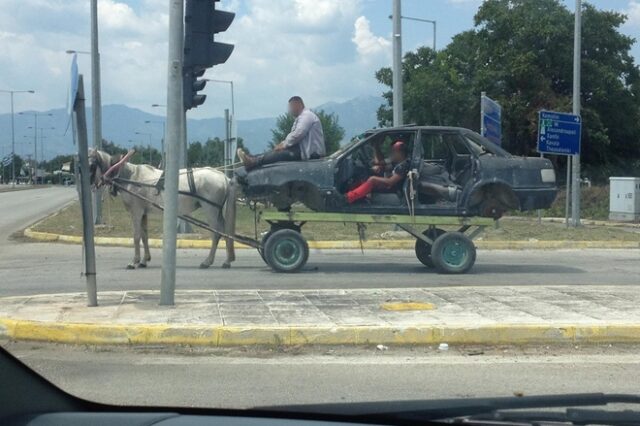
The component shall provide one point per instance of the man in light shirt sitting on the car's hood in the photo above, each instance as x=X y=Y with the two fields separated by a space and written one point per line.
x=304 y=142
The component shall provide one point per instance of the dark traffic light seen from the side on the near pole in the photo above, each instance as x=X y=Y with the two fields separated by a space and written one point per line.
x=201 y=22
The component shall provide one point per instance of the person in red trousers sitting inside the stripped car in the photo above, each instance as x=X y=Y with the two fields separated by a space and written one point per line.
x=401 y=166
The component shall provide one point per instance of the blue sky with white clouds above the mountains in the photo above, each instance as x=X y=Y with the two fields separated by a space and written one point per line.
x=323 y=50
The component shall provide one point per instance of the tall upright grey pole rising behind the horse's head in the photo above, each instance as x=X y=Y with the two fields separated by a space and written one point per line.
x=96 y=102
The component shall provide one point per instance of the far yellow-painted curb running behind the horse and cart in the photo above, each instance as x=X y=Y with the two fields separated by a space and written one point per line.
x=348 y=244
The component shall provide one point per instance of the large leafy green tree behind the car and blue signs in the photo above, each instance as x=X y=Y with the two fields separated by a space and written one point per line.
x=520 y=52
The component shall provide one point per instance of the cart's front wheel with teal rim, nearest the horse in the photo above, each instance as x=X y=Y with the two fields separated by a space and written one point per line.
x=286 y=251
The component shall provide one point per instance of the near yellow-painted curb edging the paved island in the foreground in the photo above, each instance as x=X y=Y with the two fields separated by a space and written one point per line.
x=218 y=335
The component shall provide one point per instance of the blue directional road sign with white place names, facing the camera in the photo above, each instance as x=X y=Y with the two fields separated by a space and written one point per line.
x=559 y=133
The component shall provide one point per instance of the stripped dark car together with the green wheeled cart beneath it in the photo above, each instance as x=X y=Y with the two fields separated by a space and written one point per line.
x=457 y=178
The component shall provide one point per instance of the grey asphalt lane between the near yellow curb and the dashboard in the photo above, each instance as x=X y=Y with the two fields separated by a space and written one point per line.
x=249 y=377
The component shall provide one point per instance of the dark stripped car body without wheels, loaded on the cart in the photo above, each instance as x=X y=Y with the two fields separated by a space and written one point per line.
x=455 y=172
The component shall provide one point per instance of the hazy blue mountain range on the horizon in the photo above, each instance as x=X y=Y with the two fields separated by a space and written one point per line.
x=120 y=124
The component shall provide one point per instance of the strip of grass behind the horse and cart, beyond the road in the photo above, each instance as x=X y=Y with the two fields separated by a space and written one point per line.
x=118 y=224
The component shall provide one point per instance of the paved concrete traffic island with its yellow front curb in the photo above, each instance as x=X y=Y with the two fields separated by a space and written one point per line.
x=461 y=315
